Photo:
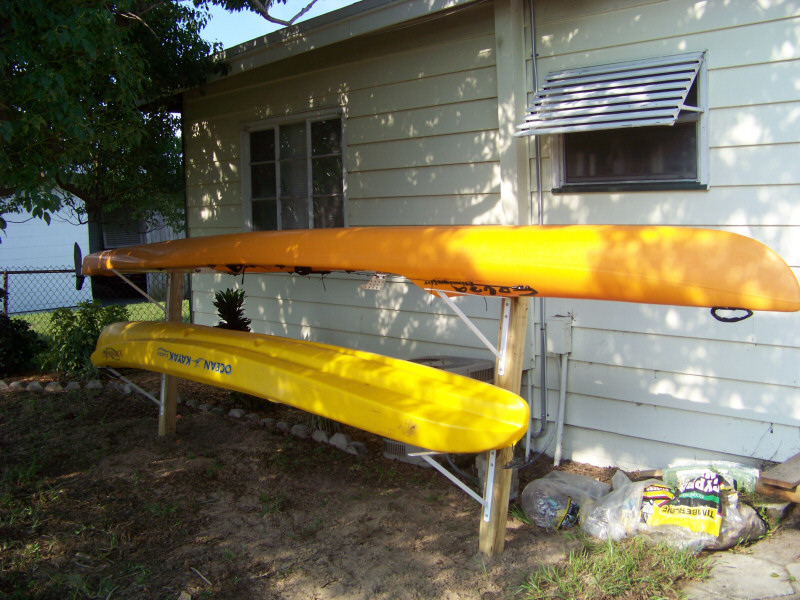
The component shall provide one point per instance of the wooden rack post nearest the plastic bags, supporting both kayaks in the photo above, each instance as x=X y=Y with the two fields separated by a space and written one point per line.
x=492 y=532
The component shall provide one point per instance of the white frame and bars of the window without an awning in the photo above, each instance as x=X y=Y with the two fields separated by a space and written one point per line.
x=246 y=182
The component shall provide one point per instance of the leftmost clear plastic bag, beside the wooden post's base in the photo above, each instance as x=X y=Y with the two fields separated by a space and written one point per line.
x=554 y=501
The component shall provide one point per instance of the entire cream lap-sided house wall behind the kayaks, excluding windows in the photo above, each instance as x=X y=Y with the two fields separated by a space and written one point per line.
x=427 y=143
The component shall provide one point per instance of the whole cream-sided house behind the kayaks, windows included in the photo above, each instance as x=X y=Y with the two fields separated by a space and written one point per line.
x=404 y=112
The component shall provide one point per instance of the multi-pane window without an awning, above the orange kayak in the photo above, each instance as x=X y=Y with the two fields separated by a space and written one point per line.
x=294 y=176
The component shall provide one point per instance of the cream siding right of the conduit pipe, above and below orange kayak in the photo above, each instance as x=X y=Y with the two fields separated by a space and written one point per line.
x=652 y=384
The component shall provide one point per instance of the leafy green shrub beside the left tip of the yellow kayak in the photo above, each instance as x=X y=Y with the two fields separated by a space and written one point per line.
x=75 y=334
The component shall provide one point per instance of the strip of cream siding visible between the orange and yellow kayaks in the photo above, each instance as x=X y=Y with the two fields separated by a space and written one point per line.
x=401 y=320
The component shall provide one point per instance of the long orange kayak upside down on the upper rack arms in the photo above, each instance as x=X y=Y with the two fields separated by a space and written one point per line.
x=649 y=264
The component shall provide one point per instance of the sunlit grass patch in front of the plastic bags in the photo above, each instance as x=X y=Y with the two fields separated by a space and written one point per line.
x=601 y=570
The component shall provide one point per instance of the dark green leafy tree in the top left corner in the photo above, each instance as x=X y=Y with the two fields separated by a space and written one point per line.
x=86 y=104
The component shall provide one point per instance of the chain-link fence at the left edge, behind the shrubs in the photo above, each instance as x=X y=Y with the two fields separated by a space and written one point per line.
x=33 y=294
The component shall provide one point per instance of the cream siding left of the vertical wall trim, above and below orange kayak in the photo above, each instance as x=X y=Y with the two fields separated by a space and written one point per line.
x=420 y=142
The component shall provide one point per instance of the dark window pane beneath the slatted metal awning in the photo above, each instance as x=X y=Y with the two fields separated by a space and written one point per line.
x=632 y=154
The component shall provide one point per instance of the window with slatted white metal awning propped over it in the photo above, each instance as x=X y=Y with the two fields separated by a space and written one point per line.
x=638 y=125
